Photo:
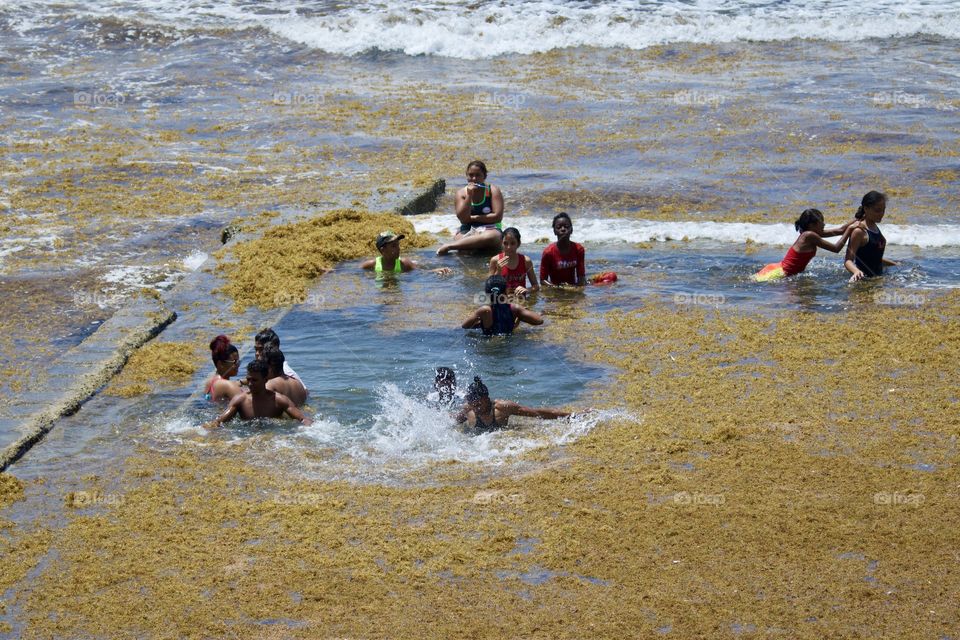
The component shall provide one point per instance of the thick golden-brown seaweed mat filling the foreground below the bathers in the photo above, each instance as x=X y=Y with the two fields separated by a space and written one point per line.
x=767 y=489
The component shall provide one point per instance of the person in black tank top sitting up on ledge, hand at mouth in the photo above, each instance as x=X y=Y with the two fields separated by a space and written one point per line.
x=479 y=208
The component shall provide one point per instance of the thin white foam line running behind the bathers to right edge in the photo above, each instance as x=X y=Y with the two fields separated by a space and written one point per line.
x=619 y=230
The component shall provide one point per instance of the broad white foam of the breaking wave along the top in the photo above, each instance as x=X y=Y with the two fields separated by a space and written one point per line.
x=487 y=28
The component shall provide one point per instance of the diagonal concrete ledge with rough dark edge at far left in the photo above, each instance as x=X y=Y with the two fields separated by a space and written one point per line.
x=91 y=364
